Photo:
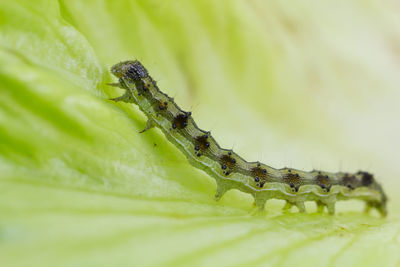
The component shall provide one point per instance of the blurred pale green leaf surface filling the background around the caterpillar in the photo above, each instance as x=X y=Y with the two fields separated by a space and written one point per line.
x=304 y=84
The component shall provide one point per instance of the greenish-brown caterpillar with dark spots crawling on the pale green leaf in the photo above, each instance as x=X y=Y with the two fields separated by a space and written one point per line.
x=230 y=170
